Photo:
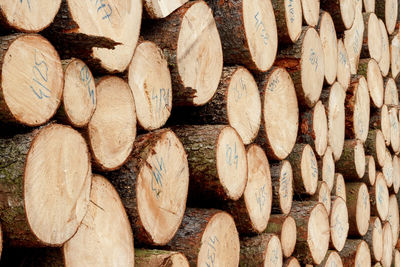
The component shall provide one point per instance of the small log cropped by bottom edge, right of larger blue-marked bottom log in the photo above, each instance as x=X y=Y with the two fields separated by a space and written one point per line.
x=262 y=250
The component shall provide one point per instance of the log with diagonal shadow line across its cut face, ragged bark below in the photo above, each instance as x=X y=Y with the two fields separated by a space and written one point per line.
x=190 y=40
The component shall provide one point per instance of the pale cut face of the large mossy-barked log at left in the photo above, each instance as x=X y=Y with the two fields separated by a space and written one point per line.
x=58 y=189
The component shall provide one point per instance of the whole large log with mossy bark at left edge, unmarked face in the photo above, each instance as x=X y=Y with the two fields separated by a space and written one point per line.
x=34 y=167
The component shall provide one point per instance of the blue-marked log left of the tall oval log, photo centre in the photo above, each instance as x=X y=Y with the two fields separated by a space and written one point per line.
x=237 y=103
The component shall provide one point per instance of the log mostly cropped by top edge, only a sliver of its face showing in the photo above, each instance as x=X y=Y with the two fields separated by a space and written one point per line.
x=161 y=9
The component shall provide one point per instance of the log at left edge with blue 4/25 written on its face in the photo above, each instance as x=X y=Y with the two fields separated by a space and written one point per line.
x=32 y=82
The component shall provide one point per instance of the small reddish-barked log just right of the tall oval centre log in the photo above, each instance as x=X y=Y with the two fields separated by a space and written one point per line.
x=314 y=129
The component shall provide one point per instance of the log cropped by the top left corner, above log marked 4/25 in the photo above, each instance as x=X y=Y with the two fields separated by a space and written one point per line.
x=26 y=16
